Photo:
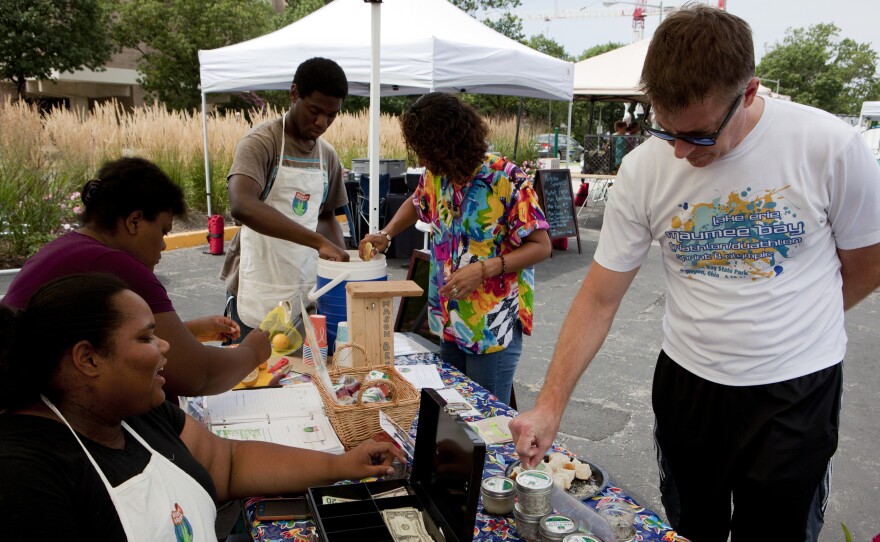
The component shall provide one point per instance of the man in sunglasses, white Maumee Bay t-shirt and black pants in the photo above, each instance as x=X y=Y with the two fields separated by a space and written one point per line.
x=766 y=215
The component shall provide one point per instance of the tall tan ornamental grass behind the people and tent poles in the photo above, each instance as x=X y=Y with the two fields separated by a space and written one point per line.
x=46 y=157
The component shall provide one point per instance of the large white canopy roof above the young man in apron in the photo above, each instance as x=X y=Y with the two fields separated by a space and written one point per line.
x=427 y=45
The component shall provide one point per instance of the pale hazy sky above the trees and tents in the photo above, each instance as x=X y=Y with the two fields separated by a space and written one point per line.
x=857 y=19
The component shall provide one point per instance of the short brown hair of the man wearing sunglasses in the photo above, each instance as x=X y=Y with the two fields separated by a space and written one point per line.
x=696 y=53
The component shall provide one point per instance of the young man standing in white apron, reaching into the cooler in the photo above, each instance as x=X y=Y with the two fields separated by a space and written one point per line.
x=284 y=186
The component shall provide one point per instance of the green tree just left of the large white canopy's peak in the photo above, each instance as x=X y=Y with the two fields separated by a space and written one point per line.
x=170 y=34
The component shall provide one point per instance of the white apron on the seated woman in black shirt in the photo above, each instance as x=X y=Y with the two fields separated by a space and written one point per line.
x=161 y=504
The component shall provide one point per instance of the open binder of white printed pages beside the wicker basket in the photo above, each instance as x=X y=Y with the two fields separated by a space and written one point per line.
x=291 y=416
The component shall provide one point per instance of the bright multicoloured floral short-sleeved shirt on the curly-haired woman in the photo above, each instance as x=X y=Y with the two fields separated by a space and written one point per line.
x=485 y=218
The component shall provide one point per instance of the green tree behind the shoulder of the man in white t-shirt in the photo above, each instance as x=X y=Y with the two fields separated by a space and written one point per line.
x=817 y=68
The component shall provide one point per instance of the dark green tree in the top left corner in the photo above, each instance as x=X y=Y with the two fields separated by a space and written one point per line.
x=38 y=36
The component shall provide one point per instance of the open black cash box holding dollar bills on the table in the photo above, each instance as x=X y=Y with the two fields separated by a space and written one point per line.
x=444 y=485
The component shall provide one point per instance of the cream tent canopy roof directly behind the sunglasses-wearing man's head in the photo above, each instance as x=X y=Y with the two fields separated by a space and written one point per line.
x=613 y=75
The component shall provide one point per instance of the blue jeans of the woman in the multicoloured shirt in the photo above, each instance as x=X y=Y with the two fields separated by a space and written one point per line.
x=492 y=371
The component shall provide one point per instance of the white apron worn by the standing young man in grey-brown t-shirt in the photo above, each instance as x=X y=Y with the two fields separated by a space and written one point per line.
x=273 y=270
